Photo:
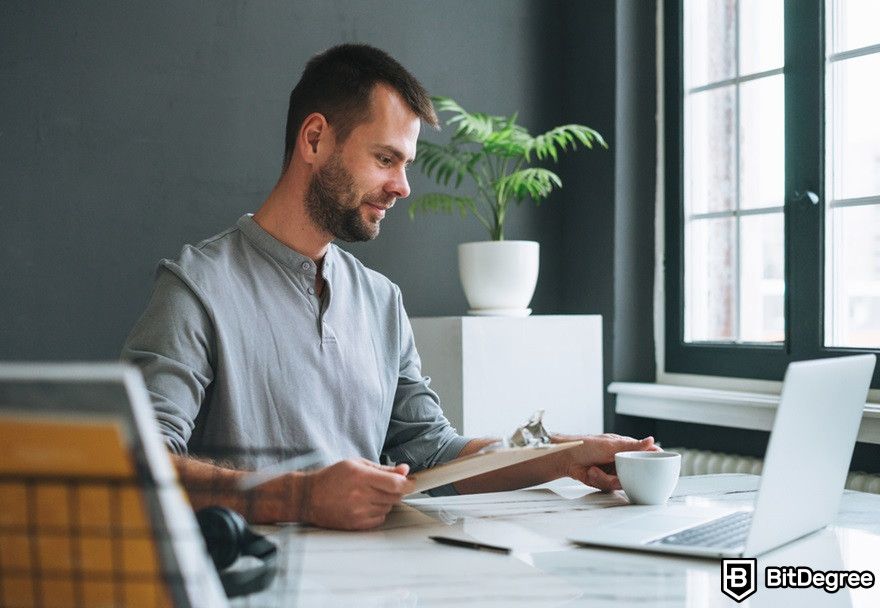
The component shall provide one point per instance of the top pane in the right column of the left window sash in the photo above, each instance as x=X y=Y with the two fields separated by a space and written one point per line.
x=761 y=36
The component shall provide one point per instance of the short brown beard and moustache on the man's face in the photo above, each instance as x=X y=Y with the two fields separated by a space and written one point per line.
x=332 y=203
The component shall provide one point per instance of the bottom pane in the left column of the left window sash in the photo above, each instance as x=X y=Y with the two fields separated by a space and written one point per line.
x=710 y=286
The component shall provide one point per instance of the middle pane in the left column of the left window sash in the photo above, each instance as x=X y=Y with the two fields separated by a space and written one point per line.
x=710 y=151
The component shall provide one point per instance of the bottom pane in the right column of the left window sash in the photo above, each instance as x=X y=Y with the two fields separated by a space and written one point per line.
x=762 y=266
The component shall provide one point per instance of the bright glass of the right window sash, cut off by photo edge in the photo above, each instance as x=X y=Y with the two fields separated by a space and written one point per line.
x=852 y=163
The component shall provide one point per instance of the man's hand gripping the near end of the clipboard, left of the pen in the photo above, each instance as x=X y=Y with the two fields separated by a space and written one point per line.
x=353 y=494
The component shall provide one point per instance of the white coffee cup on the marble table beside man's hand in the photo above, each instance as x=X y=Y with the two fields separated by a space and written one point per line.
x=648 y=478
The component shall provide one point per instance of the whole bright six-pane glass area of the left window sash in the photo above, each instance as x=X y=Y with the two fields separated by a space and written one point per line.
x=734 y=167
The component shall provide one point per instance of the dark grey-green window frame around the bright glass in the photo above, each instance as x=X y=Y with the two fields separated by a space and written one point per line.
x=804 y=301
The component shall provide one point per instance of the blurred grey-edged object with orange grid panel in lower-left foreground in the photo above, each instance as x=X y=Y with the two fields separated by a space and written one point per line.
x=82 y=467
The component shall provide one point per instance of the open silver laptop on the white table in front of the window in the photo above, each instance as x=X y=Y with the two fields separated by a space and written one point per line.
x=804 y=473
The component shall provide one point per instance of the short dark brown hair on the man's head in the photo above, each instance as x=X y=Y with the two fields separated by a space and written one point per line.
x=338 y=83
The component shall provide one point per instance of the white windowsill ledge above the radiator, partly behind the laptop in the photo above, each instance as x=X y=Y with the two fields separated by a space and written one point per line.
x=718 y=407
